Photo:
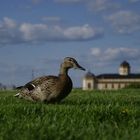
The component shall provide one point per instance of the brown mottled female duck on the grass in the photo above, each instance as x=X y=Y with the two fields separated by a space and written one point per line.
x=50 y=89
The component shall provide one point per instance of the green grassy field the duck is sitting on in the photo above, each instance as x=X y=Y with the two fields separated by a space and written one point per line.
x=83 y=115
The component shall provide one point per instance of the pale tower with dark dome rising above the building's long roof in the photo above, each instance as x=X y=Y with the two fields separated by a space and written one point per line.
x=124 y=68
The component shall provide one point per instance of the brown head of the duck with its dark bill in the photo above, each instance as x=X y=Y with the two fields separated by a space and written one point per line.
x=70 y=62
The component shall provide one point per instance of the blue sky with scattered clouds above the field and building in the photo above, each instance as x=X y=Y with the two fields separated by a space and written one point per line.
x=36 y=35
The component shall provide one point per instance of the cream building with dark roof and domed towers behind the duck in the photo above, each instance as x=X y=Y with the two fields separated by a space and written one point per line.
x=111 y=81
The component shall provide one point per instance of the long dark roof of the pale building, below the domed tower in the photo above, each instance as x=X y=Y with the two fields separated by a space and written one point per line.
x=118 y=76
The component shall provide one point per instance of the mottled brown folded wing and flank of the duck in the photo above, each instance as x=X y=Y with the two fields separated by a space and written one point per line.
x=39 y=89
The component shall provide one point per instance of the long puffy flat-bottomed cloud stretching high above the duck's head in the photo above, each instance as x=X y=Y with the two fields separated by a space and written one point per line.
x=42 y=32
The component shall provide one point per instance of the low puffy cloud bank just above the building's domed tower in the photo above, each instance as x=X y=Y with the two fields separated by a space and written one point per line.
x=115 y=54
